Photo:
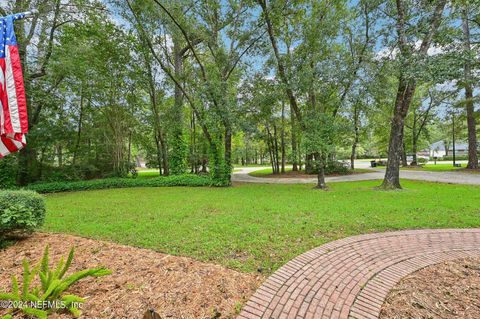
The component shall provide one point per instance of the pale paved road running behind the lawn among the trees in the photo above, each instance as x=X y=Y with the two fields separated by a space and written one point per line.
x=442 y=177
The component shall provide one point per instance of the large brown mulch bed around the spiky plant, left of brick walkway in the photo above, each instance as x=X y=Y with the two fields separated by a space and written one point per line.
x=176 y=287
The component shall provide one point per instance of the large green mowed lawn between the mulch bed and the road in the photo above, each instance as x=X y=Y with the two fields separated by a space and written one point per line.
x=251 y=227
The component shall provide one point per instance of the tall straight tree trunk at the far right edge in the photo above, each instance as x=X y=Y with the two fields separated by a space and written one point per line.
x=472 y=127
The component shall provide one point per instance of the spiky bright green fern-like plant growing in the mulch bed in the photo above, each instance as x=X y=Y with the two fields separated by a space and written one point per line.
x=40 y=301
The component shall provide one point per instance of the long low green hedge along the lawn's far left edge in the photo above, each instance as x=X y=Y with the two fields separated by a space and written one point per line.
x=177 y=180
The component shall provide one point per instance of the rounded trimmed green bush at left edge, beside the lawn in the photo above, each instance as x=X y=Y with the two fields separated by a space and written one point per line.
x=20 y=211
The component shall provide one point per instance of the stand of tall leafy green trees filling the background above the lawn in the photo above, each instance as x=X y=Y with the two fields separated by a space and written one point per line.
x=197 y=86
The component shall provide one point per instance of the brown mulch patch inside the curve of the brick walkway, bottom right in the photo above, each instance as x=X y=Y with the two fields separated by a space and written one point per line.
x=447 y=290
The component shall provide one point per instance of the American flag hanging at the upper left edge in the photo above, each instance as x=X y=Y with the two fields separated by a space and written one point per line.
x=13 y=104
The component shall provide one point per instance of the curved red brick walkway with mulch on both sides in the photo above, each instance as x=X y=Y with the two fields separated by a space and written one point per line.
x=350 y=278
